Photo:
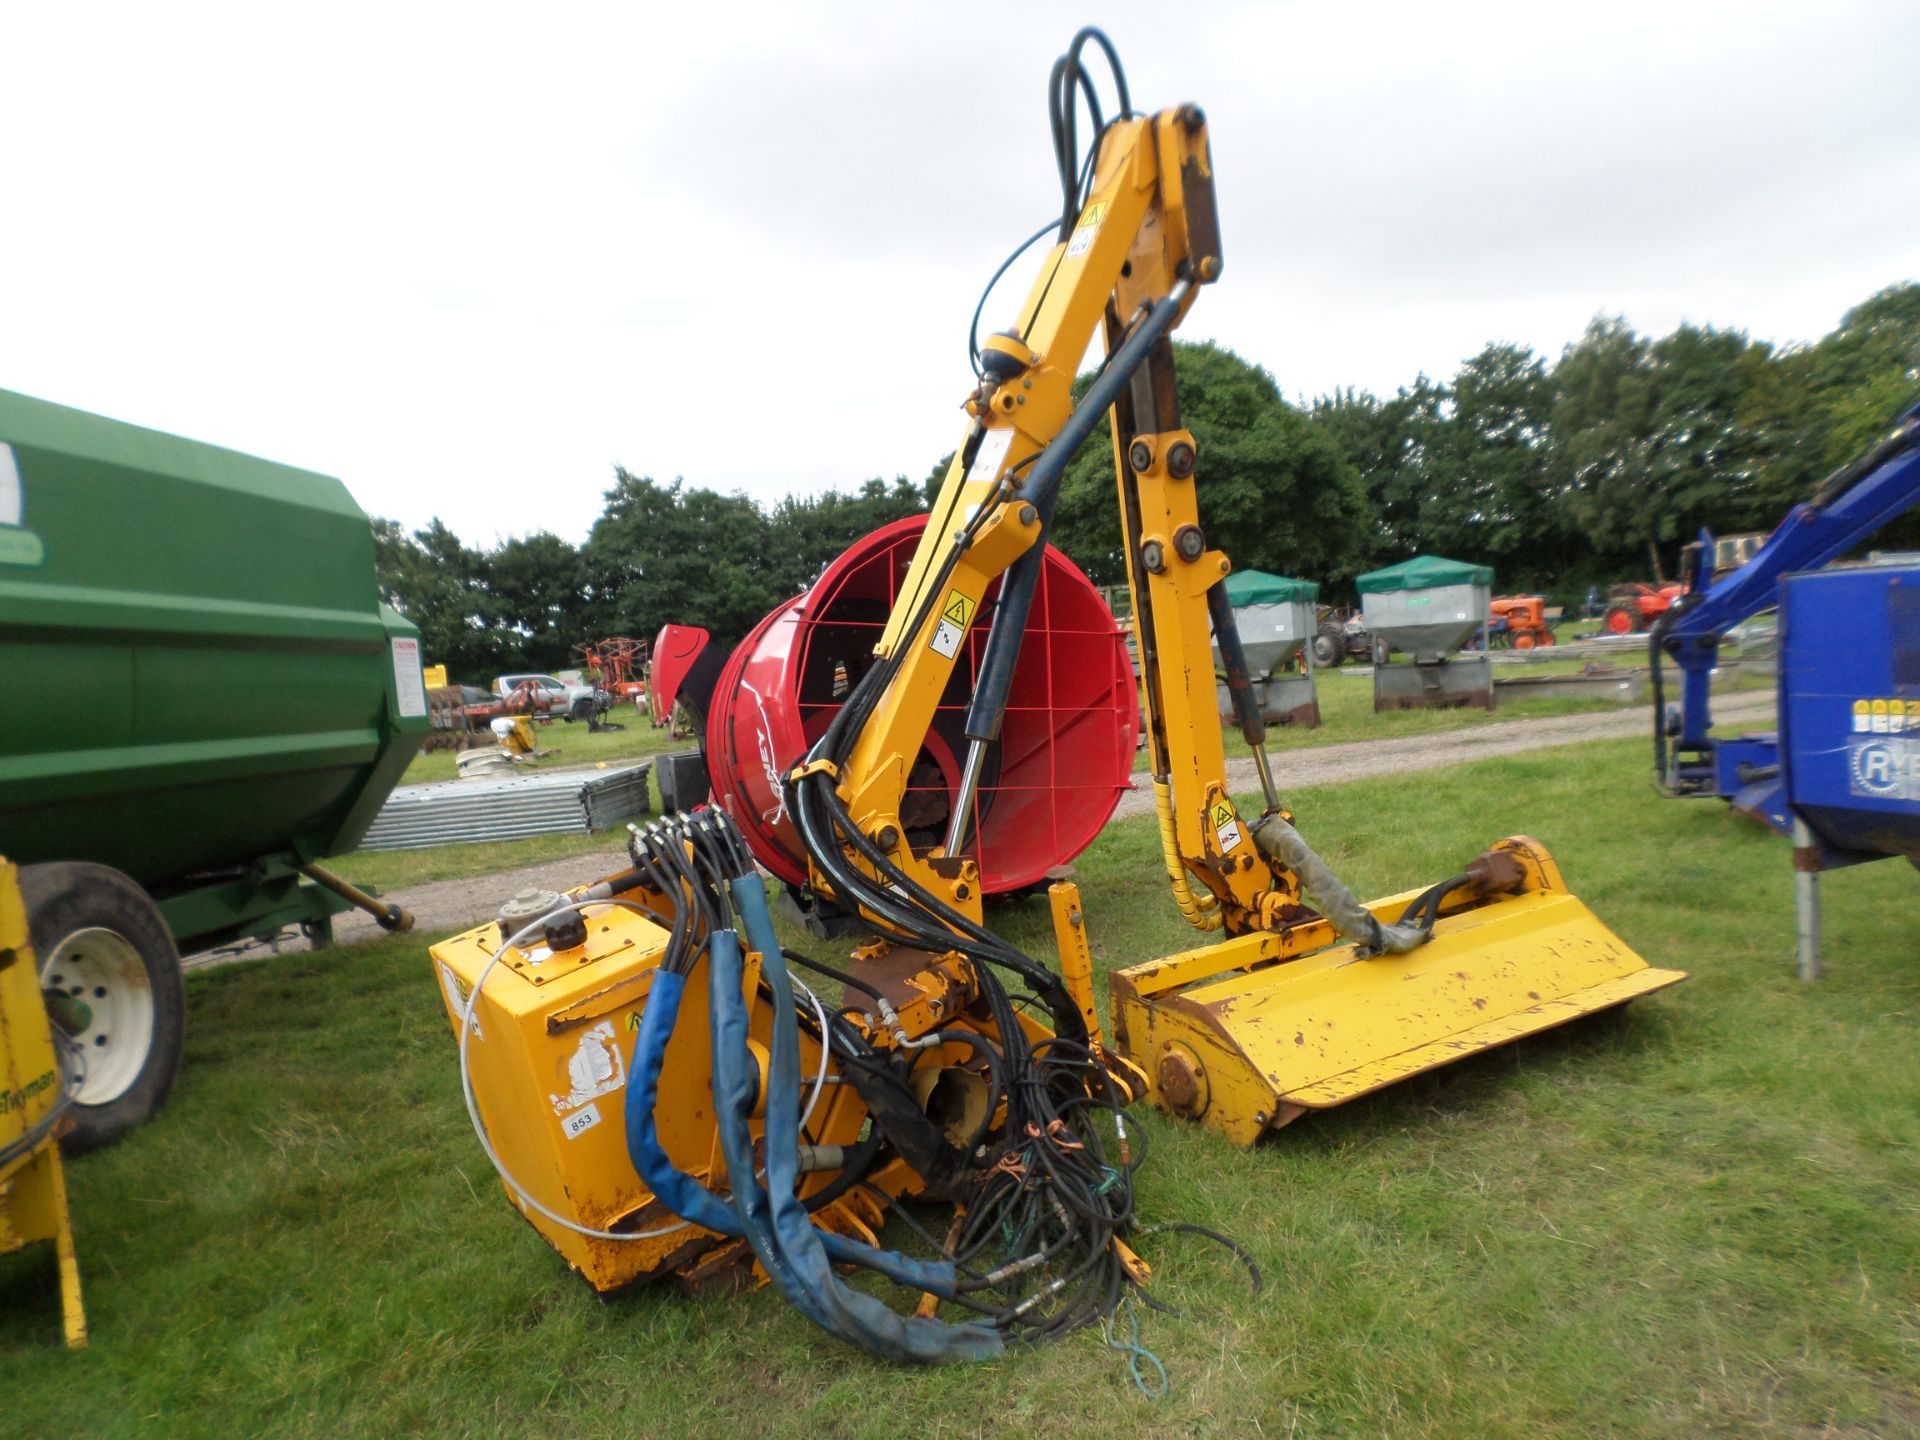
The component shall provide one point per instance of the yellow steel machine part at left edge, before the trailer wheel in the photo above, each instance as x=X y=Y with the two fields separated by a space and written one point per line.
x=34 y=1191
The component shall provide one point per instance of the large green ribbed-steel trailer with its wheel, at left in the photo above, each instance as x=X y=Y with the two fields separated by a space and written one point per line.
x=204 y=698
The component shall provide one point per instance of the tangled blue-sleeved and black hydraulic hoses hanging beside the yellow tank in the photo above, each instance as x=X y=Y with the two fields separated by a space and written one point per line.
x=1034 y=1253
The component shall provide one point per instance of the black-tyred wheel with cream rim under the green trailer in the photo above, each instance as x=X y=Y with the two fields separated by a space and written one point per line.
x=103 y=944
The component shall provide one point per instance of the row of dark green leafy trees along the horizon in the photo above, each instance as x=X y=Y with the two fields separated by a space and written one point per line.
x=1562 y=475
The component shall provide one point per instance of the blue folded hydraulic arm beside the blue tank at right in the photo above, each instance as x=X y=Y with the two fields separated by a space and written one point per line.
x=1852 y=506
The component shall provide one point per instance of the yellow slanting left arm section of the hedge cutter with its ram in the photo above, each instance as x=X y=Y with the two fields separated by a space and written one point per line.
x=1140 y=247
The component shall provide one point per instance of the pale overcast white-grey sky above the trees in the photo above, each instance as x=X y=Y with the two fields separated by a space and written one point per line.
x=471 y=256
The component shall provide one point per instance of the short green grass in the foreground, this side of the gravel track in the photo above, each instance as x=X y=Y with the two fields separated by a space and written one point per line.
x=1692 y=1218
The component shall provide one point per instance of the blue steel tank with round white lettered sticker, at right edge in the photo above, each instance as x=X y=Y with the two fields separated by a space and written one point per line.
x=1852 y=709
